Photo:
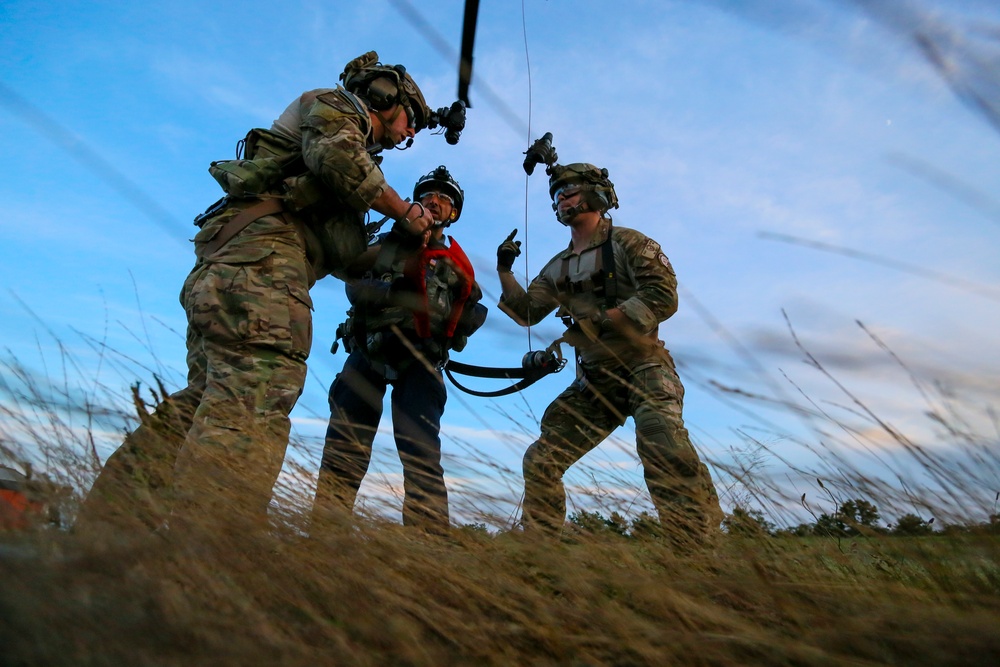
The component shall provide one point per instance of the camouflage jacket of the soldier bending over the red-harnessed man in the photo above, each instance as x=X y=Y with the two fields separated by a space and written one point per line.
x=329 y=190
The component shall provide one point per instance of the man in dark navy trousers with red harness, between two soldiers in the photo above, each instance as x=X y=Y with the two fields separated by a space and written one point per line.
x=416 y=304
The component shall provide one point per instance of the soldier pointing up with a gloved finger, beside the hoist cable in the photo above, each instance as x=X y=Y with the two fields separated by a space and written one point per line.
x=612 y=286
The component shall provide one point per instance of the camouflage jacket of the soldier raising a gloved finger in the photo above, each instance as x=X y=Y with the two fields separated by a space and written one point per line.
x=571 y=282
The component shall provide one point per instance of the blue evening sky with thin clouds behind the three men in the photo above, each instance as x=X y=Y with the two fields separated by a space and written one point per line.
x=730 y=129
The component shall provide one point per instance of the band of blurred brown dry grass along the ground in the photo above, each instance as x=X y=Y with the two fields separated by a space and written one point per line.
x=377 y=593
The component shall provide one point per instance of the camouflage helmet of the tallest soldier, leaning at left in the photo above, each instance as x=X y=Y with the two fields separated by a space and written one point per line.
x=382 y=86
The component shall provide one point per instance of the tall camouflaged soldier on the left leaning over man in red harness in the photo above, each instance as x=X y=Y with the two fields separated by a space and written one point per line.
x=294 y=213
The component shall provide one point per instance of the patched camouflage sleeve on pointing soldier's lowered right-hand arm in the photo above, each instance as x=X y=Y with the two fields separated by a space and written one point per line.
x=655 y=298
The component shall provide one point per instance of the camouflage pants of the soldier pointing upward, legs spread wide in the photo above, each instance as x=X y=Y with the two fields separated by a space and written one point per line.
x=586 y=413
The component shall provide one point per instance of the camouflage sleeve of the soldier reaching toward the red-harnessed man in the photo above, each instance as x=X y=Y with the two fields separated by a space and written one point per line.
x=334 y=136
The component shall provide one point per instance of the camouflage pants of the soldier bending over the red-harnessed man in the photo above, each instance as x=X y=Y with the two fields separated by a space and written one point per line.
x=215 y=448
